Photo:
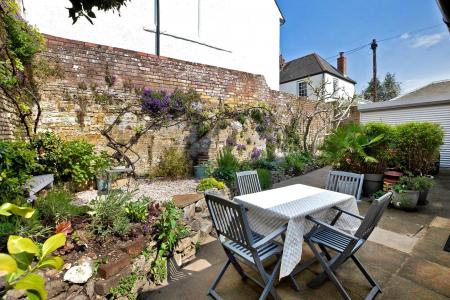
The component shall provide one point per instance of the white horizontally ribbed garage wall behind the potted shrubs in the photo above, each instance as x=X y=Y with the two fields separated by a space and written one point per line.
x=438 y=114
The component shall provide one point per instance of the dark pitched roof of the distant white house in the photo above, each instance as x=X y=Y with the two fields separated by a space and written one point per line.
x=309 y=65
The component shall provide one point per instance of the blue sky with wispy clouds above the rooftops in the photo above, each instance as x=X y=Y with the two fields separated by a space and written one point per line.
x=327 y=27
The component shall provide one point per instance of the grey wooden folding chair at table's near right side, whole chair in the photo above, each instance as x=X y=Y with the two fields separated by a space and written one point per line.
x=326 y=236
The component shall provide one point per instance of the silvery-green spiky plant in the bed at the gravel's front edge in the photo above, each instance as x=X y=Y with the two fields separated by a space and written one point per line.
x=109 y=215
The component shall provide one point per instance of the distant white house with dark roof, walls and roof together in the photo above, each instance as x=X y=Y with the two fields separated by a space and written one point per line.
x=303 y=76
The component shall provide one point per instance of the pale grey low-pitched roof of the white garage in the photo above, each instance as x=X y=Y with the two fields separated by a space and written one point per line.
x=437 y=92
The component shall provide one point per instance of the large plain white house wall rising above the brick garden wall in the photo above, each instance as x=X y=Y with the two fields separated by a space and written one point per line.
x=247 y=32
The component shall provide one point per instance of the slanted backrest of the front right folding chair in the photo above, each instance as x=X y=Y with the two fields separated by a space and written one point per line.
x=373 y=216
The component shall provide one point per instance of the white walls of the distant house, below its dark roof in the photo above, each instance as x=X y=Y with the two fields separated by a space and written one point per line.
x=345 y=89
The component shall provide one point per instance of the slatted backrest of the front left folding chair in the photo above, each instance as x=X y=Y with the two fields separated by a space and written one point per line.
x=229 y=220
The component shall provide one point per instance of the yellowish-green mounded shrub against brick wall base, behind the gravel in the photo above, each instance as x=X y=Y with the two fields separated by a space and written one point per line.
x=173 y=164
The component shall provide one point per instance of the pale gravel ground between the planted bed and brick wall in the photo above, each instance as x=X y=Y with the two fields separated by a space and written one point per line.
x=159 y=190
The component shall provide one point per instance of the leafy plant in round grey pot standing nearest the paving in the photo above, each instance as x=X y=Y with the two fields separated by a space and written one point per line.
x=405 y=193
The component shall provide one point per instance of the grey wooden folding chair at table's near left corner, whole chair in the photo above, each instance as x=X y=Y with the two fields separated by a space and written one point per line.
x=243 y=245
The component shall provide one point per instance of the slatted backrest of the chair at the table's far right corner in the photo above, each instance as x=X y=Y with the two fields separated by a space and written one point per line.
x=345 y=182
